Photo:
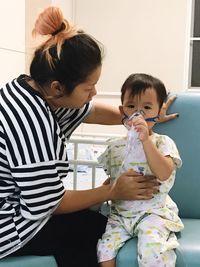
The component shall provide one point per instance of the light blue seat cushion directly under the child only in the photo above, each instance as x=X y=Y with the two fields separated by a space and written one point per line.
x=188 y=254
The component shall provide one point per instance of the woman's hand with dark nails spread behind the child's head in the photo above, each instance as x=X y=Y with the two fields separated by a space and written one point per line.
x=163 y=117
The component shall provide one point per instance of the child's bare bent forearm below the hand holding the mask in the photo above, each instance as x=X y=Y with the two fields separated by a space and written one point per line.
x=161 y=166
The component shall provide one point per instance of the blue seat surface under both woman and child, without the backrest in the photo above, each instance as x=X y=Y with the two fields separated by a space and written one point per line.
x=188 y=254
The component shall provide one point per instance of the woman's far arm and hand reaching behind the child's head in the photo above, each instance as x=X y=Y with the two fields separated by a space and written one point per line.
x=110 y=115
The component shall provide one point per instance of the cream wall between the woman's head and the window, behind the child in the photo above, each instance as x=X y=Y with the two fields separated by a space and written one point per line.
x=139 y=36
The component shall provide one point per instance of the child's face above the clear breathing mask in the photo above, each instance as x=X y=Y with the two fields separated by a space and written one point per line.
x=146 y=103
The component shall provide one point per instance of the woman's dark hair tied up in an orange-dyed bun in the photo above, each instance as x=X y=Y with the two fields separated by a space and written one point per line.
x=68 y=56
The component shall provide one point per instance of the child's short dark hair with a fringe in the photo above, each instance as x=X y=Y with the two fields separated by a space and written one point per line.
x=138 y=83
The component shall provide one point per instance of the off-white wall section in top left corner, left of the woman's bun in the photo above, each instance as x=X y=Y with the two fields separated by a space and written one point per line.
x=12 y=40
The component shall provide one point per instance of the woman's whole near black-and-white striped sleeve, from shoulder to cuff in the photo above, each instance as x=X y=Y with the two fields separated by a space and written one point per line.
x=34 y=150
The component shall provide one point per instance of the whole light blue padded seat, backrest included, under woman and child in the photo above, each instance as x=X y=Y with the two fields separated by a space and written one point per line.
x=186 y=191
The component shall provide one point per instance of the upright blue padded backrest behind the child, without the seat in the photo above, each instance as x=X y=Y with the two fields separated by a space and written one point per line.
x=185 y=131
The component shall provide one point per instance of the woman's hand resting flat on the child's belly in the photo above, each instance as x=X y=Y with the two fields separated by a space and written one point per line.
x=134 y=186
